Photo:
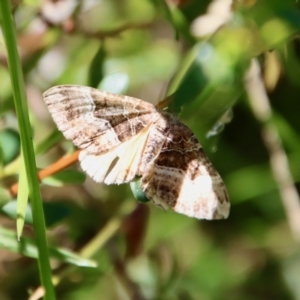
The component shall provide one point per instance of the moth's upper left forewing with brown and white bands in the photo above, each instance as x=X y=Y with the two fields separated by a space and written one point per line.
x=96 y=121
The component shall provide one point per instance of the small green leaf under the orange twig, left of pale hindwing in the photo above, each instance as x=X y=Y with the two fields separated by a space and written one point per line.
x=65 y=177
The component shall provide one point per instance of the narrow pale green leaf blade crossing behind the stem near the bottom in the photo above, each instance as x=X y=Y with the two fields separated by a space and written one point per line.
x=27 y=247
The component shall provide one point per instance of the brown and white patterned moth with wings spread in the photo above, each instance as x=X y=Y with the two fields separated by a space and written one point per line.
x=122 y=138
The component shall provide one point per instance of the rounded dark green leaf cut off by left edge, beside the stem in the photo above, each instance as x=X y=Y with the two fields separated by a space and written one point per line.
x=9 y=144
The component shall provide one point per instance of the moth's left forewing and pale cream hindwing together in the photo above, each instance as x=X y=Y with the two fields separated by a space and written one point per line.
x=110 y=129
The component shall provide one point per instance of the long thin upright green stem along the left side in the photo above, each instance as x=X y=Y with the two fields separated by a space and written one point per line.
x=19 y=94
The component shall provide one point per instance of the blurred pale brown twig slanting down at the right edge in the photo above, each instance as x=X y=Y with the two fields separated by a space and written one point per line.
x=278 y=159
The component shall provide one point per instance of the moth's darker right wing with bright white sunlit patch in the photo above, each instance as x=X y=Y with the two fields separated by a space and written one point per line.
x=181 y=177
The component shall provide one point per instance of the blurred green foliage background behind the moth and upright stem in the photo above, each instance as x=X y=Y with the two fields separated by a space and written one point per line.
x=199 y=54
